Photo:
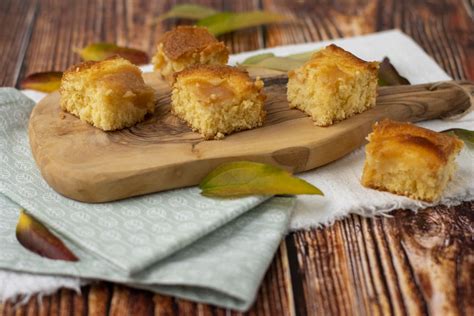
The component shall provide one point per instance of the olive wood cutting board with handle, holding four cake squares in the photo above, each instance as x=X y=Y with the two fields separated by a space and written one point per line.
x=86 y=164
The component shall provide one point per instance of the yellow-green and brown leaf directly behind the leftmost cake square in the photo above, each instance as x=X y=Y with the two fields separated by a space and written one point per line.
x=101 y=51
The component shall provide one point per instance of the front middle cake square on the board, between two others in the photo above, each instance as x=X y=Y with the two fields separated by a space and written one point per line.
x=216 y=100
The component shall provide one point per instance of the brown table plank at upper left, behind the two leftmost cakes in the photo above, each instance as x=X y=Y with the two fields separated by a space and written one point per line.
x=129 y=23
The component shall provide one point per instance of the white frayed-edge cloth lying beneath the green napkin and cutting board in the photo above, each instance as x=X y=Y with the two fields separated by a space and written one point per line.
x=338 y=180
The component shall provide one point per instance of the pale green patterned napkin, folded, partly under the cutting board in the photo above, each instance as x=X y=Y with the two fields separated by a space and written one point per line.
x=176 y=242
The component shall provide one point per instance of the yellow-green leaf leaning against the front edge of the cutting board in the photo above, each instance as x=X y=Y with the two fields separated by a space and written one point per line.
x=245 y=178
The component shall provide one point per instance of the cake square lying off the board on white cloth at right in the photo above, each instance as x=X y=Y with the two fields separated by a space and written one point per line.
x=409 y=160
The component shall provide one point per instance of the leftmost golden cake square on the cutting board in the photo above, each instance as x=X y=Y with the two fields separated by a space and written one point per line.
x=109 y=94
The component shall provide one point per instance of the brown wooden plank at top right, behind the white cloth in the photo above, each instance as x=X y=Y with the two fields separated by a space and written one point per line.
x=443 y=28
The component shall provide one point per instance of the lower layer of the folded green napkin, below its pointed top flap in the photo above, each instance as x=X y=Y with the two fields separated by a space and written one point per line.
x=223 y=268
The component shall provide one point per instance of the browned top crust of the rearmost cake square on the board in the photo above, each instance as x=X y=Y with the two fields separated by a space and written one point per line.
x=187 y=39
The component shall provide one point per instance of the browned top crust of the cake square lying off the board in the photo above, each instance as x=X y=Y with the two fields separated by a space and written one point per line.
x=438 y=145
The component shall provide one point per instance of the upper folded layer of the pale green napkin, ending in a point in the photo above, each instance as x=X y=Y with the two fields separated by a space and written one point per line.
x=132 y=233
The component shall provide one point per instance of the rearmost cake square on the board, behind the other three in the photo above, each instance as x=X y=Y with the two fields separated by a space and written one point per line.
x=185 y=46
